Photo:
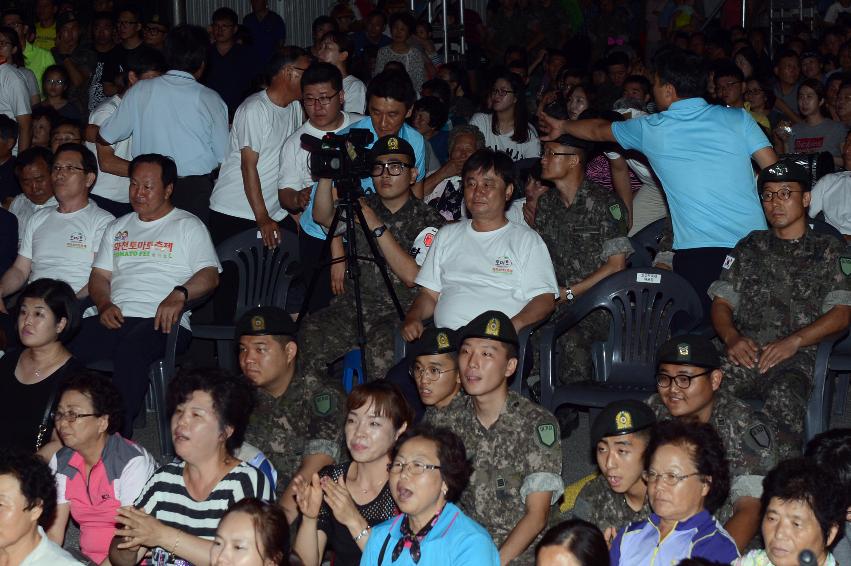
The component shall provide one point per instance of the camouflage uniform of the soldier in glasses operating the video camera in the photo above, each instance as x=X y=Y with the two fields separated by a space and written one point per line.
x=330 y=333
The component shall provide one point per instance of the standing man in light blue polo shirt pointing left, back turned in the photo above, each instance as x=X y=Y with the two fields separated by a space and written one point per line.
x=702 y=155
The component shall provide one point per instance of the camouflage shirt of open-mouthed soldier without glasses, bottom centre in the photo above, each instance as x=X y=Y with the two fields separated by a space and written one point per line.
x=518 y=455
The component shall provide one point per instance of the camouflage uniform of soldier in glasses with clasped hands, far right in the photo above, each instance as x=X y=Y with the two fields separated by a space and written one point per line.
x=777 y=287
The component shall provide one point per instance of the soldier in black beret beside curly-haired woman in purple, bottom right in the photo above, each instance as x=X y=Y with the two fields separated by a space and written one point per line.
x=617 y=495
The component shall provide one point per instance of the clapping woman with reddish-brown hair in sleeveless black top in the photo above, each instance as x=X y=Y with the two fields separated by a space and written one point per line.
x=342 y=503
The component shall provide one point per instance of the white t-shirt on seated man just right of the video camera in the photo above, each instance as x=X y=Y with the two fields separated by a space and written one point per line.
x=474 y=272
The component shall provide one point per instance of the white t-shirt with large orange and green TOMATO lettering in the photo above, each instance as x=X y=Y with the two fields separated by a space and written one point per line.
x=149 y=259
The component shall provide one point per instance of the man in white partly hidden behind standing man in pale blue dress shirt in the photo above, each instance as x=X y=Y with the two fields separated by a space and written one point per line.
x=110 y=190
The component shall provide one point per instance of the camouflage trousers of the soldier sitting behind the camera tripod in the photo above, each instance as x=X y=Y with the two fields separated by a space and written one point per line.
x=330 y=333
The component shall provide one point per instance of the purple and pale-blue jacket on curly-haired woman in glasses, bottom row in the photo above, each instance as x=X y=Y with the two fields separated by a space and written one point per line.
x=701 y=536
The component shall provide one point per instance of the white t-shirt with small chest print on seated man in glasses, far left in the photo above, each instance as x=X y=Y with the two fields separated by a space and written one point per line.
x=63 y=245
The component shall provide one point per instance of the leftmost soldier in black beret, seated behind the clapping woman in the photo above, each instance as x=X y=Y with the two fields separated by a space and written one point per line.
x=298 y=420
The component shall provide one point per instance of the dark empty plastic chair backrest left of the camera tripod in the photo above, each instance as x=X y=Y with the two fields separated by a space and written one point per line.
x=264 y=275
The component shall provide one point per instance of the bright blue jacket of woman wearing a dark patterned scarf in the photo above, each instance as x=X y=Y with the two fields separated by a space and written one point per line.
x=456 y=540
